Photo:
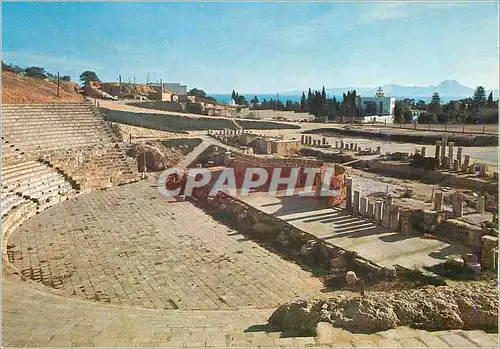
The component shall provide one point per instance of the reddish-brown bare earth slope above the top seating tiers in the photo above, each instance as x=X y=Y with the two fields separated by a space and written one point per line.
x=23 y=89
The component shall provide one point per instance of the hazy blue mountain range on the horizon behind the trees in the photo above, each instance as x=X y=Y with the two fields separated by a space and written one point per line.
x=448 y=89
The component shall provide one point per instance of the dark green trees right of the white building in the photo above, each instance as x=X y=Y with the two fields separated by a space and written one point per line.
x=475 y=109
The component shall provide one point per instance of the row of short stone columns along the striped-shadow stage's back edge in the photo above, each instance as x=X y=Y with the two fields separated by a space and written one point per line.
x=380 y=210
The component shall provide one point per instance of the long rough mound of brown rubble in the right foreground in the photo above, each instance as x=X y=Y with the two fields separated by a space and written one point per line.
x=461 y=306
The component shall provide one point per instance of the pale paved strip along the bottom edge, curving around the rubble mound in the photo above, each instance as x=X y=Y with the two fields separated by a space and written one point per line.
x=33 y=316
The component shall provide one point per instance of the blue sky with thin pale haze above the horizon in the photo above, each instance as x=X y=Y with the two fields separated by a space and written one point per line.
x=260 y=47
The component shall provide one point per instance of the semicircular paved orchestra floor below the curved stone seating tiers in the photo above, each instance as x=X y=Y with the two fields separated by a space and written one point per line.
x=127 y=246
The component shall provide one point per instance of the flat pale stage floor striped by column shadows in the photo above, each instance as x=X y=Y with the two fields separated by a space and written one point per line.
x=351 y=232
